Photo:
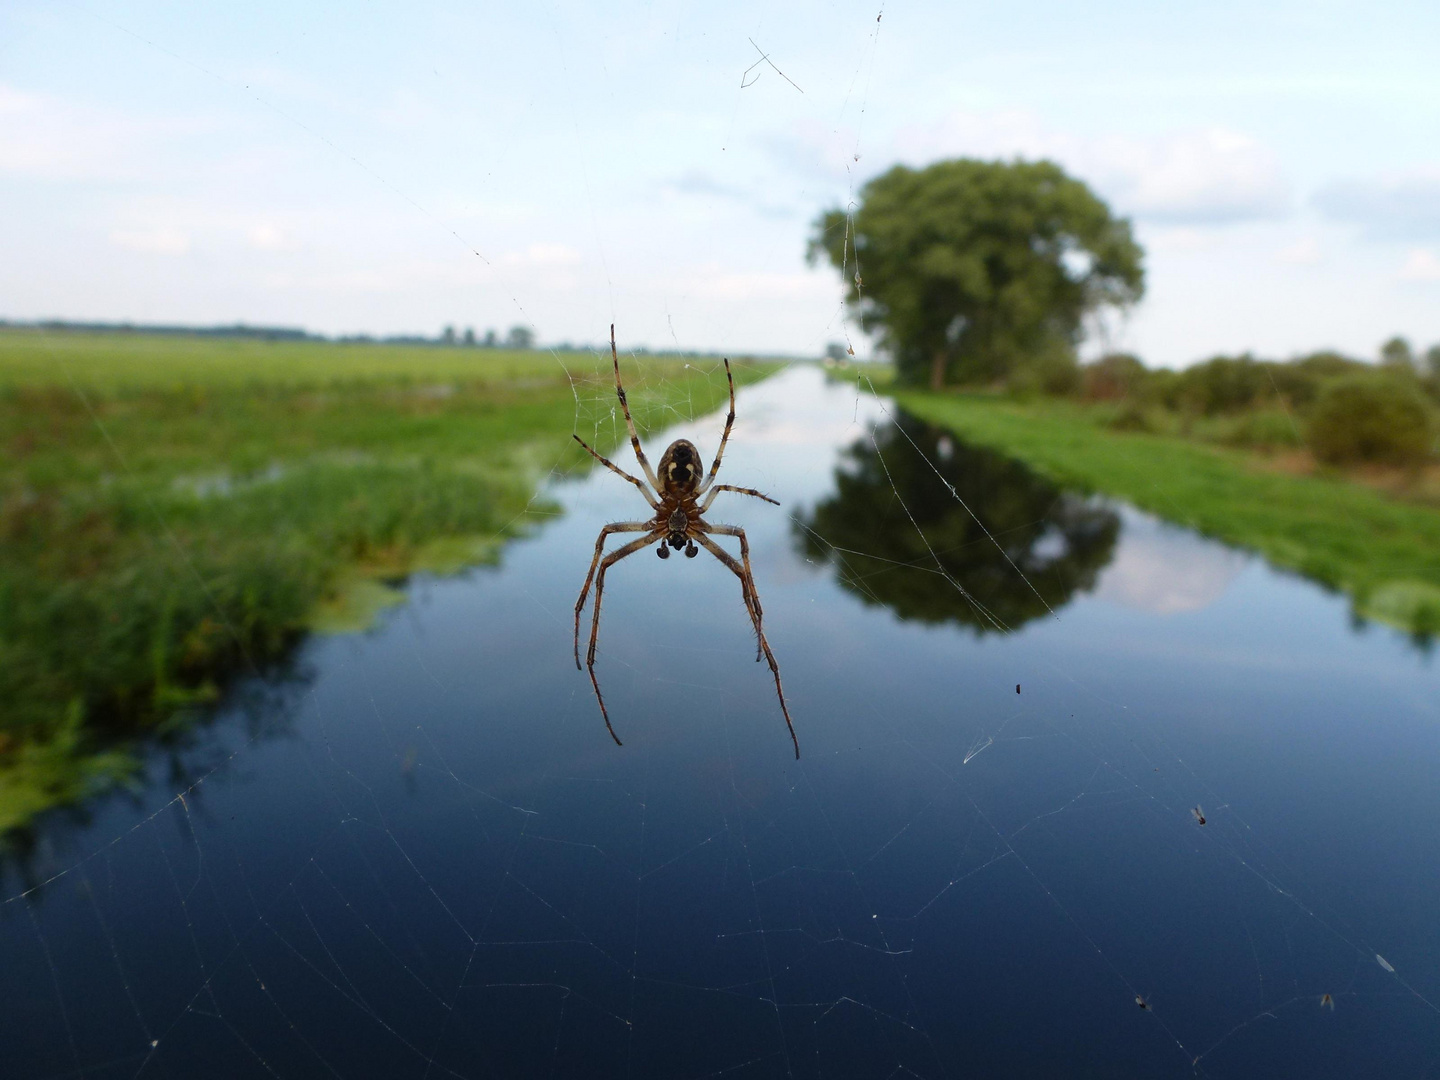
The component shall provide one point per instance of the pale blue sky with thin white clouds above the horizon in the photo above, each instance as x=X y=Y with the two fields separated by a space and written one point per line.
x=394 y=168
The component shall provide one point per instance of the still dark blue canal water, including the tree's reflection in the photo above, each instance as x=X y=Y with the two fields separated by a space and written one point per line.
x=423 y=856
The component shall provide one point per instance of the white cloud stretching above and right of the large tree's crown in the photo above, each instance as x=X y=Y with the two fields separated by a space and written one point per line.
x=1206 y=176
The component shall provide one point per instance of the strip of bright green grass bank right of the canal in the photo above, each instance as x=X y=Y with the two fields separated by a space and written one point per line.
x=1383 y=552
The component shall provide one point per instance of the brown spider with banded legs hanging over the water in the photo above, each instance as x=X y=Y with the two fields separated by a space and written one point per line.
x=679 y=523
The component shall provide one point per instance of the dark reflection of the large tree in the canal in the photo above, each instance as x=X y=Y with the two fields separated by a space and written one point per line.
x=1059 y=541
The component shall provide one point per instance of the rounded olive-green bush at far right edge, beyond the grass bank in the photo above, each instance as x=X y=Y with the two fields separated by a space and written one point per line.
x=1372 y=420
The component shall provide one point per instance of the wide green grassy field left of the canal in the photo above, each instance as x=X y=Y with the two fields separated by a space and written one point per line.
x=176 y=512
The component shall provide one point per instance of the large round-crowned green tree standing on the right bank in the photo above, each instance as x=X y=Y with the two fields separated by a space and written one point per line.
x=981 y=271
